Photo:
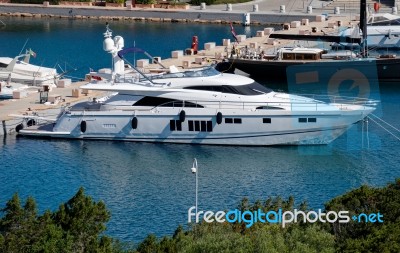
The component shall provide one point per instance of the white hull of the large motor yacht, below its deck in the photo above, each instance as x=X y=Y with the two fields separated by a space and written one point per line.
x=253 y=129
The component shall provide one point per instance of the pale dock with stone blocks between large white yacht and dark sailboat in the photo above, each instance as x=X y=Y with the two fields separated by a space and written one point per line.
x=216 y=51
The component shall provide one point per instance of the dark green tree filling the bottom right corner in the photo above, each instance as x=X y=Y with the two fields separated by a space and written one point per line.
x=367 y=236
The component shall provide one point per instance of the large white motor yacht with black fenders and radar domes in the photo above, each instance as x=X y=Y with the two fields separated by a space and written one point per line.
x=197 y=106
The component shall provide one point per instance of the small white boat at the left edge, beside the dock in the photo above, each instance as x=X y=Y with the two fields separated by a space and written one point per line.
x=20 y=71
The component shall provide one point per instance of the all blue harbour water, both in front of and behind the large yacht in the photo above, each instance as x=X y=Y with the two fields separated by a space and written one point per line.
x=149 y=187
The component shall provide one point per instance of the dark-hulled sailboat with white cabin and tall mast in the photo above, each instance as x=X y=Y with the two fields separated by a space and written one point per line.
x=309 y=65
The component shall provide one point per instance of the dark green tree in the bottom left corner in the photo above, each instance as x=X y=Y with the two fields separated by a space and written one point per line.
x=76 y=227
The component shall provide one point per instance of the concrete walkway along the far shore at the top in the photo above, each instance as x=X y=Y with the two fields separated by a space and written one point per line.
x=268 y=11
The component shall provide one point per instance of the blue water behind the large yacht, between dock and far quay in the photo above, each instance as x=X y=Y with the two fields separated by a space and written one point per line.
x=79 y=43
